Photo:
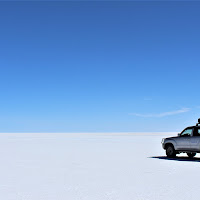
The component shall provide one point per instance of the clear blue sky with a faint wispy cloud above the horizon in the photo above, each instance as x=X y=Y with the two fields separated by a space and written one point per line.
x=90 y=66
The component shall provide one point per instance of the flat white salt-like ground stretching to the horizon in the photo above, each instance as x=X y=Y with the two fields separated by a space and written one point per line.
x=93 y=167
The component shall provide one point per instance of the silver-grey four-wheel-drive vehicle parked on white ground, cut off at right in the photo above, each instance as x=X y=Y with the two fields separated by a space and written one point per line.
x=188 y=141
